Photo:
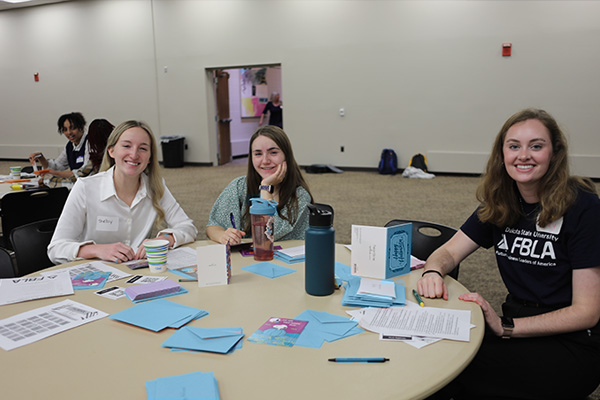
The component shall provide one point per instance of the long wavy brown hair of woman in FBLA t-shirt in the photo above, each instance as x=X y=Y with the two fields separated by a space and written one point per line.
x=557 y=189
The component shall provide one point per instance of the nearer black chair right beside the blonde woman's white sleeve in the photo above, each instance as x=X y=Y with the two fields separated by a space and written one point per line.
x=30 y=243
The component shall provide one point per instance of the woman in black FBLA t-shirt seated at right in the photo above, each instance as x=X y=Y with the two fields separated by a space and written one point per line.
x=543 y=224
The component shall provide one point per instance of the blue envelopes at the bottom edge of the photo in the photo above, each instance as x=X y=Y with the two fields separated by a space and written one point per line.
x=197 y=385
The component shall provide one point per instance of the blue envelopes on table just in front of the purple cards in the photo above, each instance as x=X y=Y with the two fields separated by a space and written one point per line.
x=157 y=315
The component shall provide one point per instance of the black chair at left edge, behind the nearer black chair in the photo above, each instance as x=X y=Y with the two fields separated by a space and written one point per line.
x=25 y=206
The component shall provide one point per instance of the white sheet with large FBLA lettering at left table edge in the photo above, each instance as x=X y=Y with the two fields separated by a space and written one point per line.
x=15 y=290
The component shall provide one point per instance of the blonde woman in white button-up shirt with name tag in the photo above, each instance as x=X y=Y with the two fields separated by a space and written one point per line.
x=110 y=214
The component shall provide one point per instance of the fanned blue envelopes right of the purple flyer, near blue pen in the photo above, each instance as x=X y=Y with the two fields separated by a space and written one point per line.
x=324 y=327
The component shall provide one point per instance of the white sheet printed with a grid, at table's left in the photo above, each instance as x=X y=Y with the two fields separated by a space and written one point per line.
x=31 y=326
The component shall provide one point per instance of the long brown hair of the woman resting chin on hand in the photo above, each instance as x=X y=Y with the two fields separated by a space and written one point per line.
x=287 y=189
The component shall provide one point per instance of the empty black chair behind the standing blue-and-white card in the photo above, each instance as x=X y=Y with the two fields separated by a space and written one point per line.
x=427 y=237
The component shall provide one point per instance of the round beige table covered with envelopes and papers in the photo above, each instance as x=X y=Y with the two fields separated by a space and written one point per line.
x=106 y=359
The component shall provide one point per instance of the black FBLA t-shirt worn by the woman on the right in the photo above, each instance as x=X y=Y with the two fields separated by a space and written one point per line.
x=536 y=263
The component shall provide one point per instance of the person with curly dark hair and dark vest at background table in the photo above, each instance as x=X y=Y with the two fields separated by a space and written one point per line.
x=68 y=165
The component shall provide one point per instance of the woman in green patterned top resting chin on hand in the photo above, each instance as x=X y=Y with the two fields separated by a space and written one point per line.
x=272 y=174
